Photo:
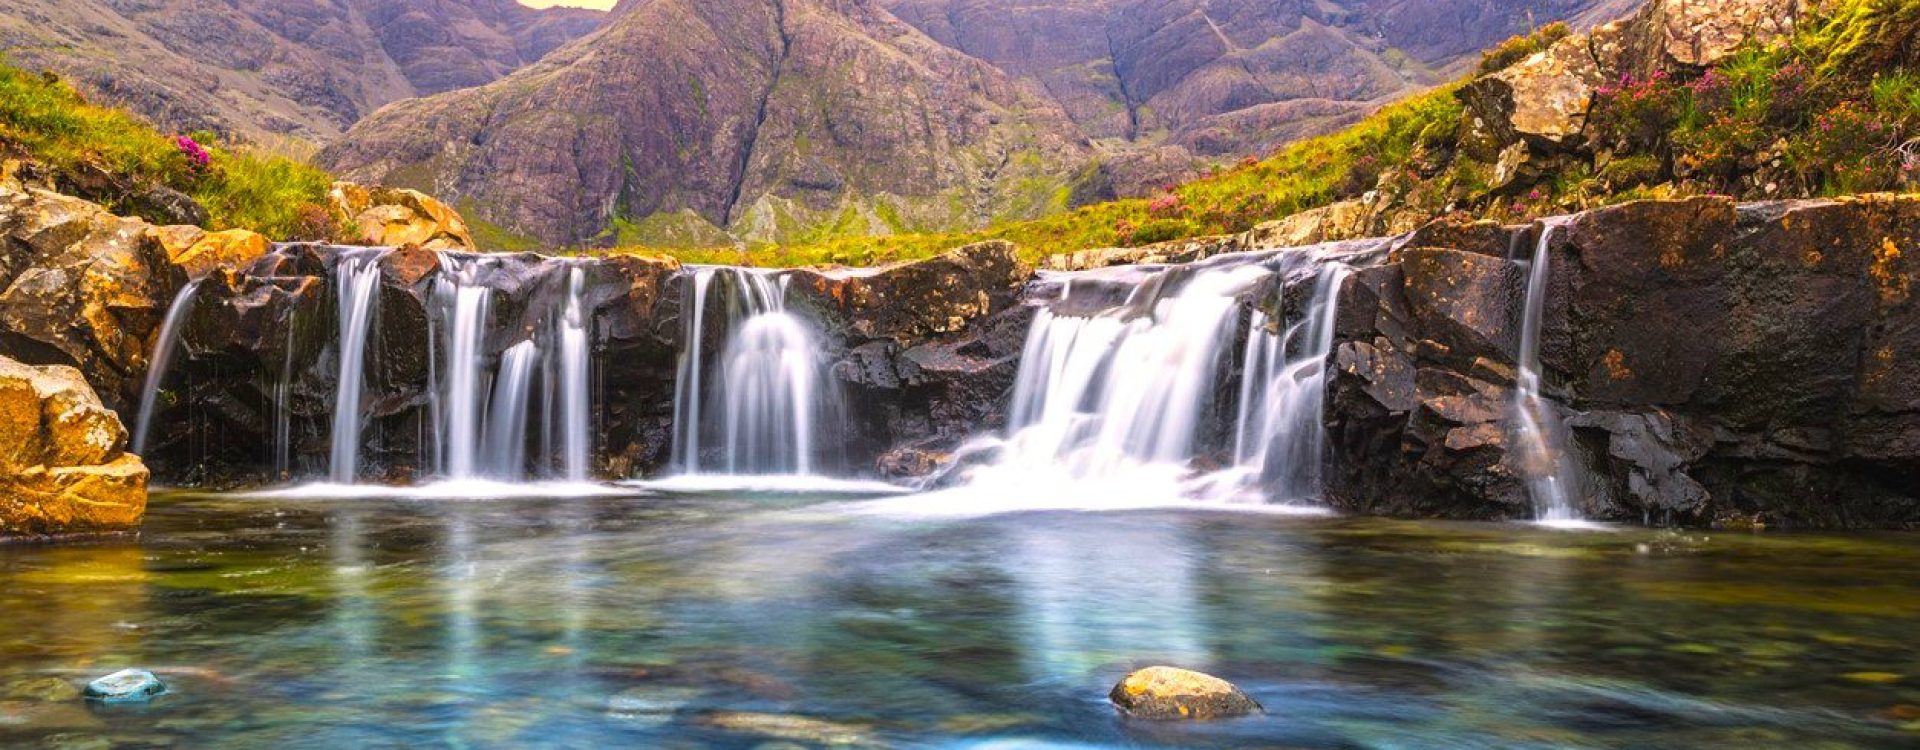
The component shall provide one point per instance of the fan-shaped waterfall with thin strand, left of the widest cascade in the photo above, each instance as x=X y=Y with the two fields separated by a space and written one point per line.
x=773 y=394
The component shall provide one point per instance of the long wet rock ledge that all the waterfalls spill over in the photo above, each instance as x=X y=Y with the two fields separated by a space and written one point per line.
x=1716 y=363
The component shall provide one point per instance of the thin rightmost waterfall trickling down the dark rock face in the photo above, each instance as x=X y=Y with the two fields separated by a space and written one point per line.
x=1539 y=433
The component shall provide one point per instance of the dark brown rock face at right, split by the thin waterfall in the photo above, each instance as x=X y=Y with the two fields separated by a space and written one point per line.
x=1714 y=363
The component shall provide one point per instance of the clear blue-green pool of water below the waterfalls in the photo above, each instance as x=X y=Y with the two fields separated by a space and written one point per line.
x=740 y=622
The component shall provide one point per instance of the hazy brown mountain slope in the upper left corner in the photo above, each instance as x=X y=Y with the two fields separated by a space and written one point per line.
x=279 y=68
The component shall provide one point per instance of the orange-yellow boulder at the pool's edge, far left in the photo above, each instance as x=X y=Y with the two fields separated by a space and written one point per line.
x=64 y=463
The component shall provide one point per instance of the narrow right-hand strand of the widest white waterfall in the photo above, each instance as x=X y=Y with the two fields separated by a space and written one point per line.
x=1282 y=431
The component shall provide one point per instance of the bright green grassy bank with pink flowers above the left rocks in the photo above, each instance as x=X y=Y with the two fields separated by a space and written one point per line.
x=55 y=126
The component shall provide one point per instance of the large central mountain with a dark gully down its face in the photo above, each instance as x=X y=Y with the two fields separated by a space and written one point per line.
x=686 y=122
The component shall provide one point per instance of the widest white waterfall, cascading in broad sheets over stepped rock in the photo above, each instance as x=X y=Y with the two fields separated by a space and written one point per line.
x=1118 y=396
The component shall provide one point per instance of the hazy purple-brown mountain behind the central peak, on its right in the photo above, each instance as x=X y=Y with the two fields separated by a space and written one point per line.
x=1232 y=76
